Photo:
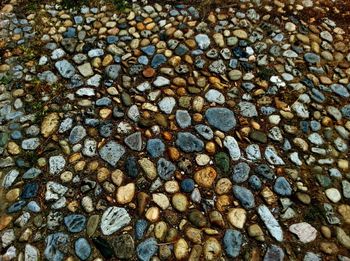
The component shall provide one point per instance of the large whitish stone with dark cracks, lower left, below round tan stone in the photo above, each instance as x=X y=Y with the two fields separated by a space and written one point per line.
x=113 y=219
